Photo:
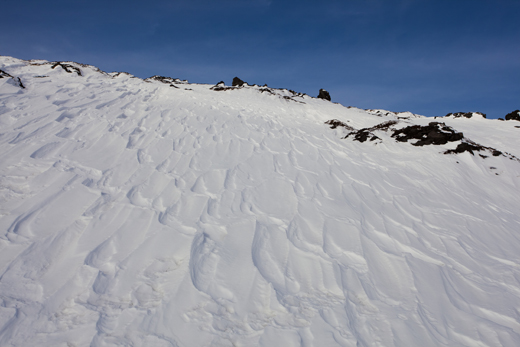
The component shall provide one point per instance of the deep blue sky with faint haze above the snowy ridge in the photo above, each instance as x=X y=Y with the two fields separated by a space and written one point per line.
x=429 y=57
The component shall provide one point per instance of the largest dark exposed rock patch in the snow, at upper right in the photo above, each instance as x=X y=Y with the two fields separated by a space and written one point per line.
x=434 y=133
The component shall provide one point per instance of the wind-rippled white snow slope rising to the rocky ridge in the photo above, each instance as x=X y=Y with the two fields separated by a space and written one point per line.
x=134 y=213
